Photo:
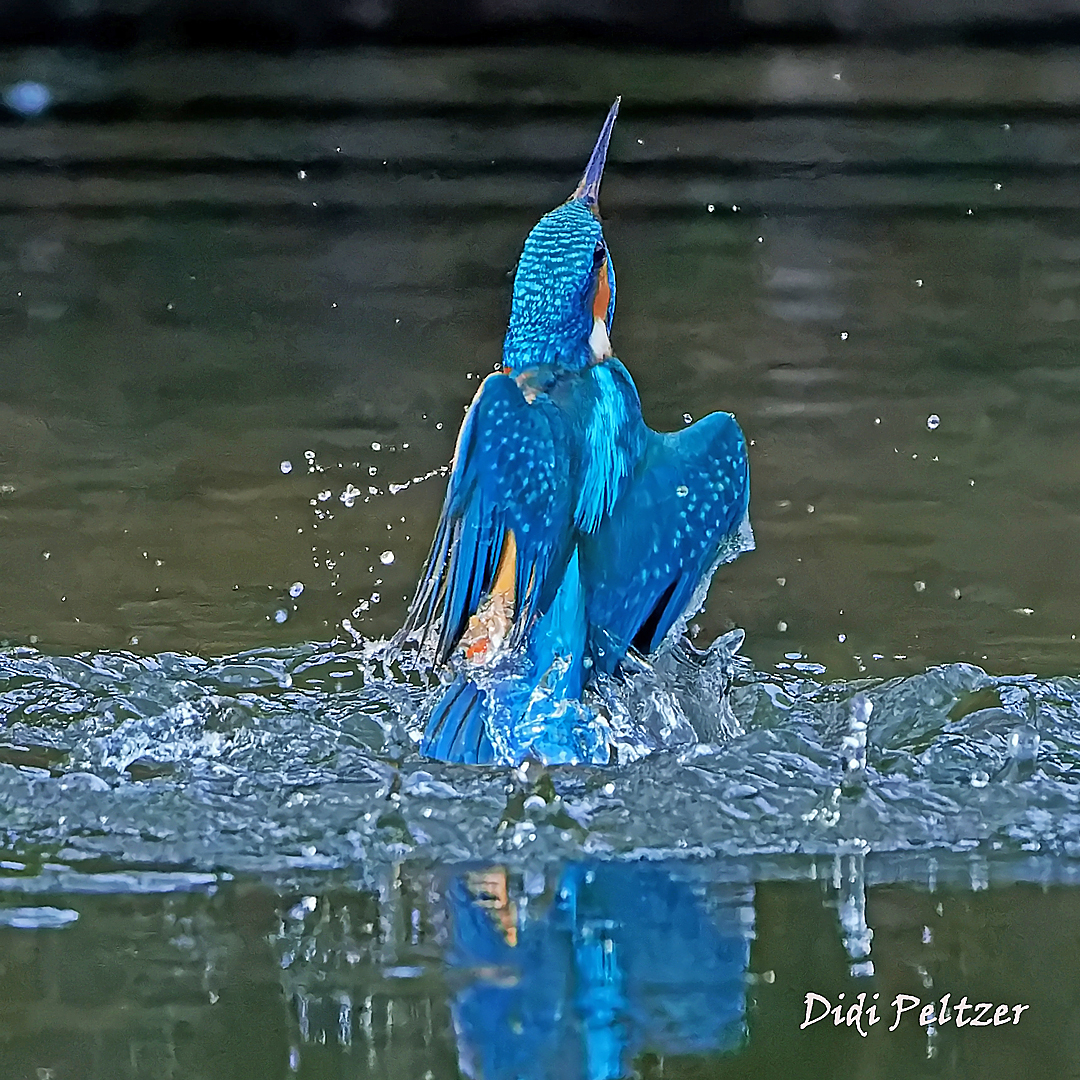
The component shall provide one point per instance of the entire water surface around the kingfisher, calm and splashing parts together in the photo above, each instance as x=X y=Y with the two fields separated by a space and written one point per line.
x=239 y=326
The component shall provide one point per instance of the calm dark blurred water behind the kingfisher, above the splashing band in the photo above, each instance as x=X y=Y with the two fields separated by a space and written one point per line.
x=255 y=259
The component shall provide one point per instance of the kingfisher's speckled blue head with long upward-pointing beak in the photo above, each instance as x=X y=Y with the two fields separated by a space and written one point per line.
x=564 y=288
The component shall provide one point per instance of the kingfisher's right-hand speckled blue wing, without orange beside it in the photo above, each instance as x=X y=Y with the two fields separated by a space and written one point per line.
x=653 y=558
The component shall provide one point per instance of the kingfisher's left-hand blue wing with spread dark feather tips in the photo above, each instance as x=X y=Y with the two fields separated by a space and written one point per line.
x=511 y=475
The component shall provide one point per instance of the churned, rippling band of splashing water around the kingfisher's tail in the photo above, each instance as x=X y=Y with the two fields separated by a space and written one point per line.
x=304 y=759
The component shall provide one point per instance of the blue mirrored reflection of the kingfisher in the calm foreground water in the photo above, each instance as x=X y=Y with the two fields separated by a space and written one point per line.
x=623 y=961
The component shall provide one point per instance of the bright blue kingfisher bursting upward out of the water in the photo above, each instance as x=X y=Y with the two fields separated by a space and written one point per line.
x=574 y=539
